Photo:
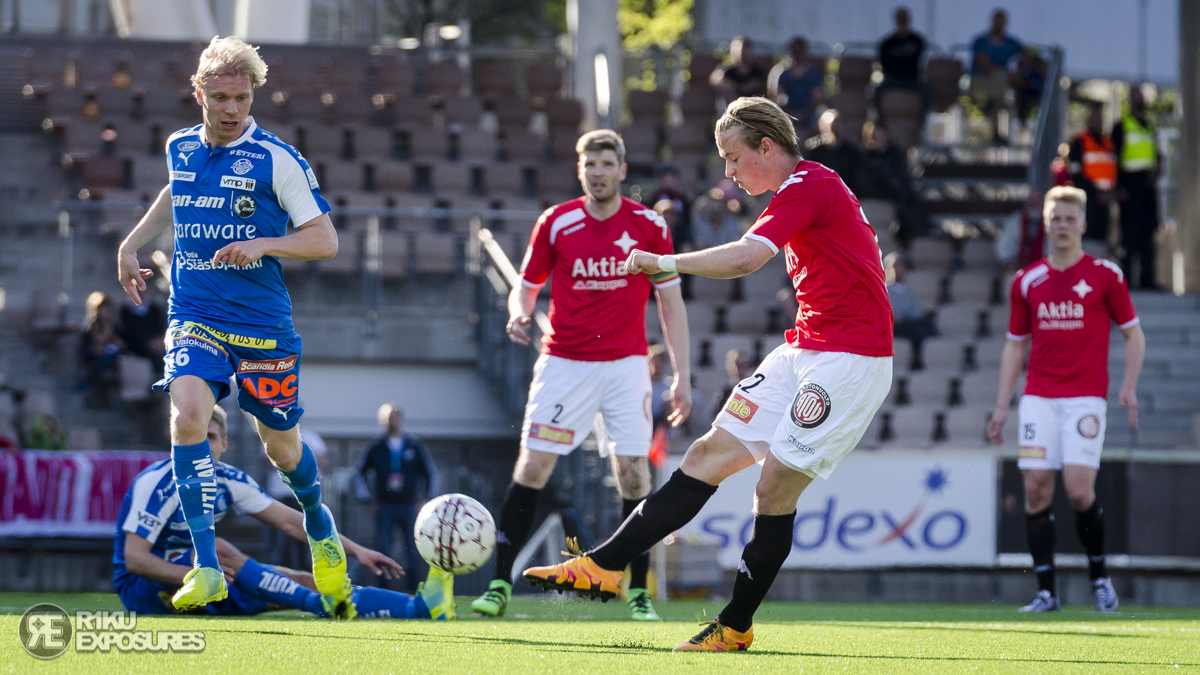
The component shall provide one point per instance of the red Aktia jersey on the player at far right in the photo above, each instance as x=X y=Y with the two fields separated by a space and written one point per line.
x=1067 y=315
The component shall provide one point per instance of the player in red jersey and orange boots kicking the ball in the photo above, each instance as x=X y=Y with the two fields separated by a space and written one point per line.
x=809 y=402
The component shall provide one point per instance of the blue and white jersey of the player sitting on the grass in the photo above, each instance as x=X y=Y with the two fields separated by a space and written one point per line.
x=152 y=510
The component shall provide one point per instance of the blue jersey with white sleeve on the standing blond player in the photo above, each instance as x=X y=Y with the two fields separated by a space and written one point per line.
x=248 y=189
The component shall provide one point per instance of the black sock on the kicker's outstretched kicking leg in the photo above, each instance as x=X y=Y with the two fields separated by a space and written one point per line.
x=664 y=512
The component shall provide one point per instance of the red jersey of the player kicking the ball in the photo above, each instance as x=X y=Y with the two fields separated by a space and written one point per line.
x=833 y=259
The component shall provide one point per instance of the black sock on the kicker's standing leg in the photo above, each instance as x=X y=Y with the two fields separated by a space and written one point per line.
x=761 y=561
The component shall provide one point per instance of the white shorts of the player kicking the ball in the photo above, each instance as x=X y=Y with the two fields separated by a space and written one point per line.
x=809 y=409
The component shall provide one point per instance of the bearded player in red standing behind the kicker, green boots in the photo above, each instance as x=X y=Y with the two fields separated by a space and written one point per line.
x=592 y=373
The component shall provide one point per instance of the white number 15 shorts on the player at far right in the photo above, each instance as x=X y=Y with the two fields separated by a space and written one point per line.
x=1058 y=432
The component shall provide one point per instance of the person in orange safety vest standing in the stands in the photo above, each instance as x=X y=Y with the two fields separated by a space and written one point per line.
x=1093 y=163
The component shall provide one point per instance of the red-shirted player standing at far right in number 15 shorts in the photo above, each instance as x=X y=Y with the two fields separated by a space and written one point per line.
x=1063 y=308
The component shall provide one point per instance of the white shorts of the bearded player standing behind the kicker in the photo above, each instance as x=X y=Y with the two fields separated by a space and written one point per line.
x=571 y=398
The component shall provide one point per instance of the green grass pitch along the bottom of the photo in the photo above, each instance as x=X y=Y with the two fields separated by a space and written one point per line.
x=550 y=636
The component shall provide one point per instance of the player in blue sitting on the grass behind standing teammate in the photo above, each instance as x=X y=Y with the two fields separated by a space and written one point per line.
x=154 y=552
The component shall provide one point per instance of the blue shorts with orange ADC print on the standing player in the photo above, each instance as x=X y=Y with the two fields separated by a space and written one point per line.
x=267 y=369
